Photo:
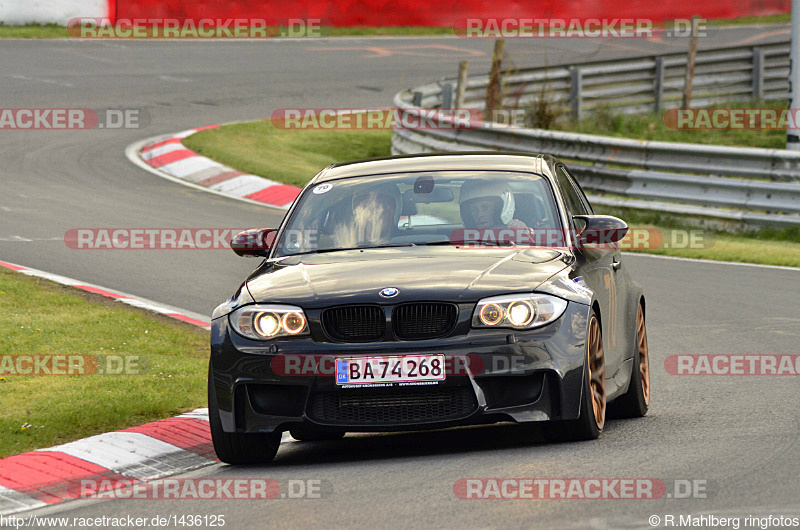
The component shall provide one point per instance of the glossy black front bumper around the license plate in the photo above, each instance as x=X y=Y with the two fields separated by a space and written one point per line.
x=494 y=376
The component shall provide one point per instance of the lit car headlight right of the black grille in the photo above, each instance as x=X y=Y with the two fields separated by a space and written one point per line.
x=524 y=311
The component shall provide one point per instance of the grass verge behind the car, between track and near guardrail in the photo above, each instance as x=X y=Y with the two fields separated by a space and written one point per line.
x=294 y=156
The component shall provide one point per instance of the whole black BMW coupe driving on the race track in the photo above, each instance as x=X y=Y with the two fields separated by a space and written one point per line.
x=429 y=291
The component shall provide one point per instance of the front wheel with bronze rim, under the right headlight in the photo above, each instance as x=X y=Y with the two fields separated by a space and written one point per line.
x=587 y=426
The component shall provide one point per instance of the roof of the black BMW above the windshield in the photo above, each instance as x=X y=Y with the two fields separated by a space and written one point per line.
x=480 y=160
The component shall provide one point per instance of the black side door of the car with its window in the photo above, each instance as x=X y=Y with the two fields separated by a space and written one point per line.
x=598 y=265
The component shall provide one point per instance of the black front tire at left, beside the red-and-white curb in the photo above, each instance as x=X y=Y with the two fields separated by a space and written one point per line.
x=235 y=447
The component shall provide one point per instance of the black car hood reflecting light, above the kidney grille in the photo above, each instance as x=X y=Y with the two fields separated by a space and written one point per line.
x=420 y=273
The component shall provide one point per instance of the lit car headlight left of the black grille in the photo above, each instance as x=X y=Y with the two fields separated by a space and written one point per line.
x=264 y=322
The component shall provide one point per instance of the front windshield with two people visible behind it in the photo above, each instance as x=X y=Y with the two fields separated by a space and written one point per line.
x=415 y=209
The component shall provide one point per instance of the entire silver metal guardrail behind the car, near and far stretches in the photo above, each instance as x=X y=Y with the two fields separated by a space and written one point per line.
x=749 y=187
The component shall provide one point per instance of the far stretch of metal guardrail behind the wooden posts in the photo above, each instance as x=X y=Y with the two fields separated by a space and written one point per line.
x=647 y=84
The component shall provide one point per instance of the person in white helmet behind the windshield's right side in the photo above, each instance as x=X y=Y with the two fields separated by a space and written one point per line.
x=487 y=204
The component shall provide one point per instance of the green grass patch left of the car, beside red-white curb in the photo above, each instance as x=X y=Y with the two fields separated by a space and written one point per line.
x=38 y=317
